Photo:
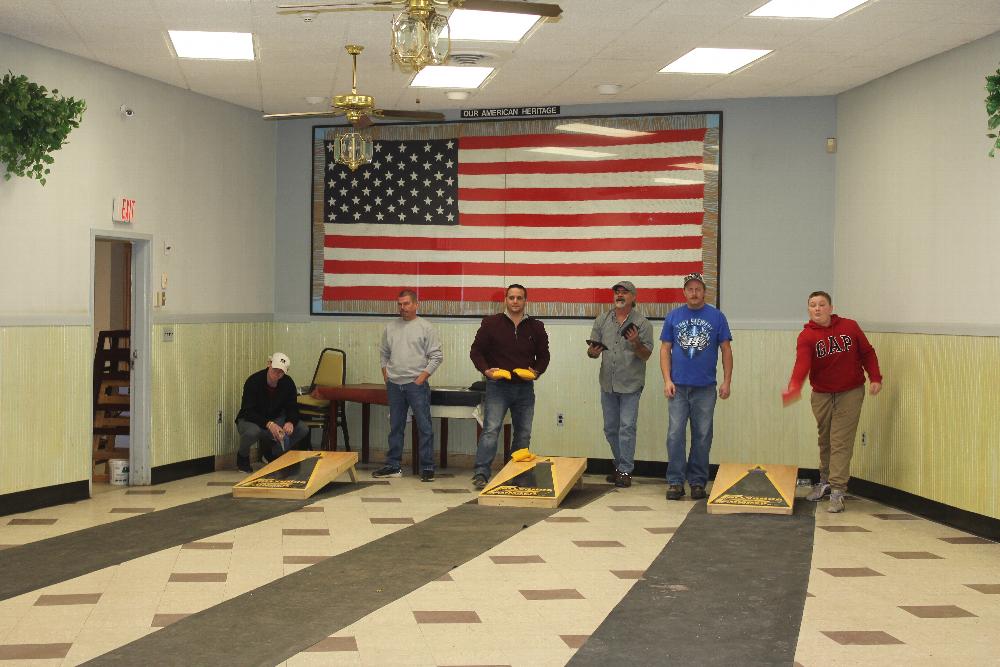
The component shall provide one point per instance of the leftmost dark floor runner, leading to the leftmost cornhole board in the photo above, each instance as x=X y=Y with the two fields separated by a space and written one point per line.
x=46 y=562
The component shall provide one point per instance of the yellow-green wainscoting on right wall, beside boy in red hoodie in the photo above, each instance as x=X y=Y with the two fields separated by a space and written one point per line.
x=934 y=430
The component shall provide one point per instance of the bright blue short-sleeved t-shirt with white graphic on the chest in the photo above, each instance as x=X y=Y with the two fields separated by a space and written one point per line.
x=694 y=337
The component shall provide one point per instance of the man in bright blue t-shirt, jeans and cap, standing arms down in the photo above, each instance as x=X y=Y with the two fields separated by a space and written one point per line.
x=691 y=339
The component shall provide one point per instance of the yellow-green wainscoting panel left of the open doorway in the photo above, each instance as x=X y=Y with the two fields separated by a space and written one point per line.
x=45 y=405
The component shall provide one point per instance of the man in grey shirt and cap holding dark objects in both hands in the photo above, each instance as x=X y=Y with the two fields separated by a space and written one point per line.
x=623 y=339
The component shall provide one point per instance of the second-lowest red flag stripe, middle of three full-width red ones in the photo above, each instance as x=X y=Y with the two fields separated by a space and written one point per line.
x=415 y=269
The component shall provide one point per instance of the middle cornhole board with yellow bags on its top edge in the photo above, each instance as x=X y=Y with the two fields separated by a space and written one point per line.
x=542 y=482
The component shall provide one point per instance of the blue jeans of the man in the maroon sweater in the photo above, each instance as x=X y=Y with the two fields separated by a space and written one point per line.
x=503 y=395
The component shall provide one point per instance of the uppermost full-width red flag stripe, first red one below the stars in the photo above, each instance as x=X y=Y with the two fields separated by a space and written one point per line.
x=524 y=245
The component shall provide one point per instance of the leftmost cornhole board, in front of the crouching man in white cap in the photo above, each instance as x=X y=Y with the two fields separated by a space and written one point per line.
x=296 y=475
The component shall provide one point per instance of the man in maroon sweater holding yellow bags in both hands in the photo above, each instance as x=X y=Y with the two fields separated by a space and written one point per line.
x=507 y=341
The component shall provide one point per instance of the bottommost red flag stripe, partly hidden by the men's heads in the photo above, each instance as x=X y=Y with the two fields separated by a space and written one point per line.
x=537 y=294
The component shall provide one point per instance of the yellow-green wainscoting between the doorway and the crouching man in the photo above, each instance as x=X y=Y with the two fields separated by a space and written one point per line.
x=197 y=374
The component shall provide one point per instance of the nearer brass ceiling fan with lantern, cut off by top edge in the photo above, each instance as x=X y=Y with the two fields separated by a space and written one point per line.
x=420 y=35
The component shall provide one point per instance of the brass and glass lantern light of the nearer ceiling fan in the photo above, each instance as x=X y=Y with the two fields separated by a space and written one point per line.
x=420 y=37
